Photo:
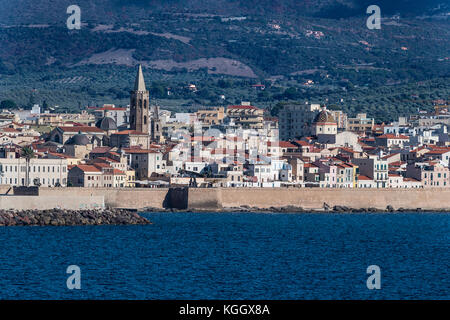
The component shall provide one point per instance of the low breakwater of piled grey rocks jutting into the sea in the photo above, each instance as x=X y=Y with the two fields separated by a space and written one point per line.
x=60 y=217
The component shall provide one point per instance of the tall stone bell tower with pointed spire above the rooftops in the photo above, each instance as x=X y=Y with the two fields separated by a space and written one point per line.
x=139 y=104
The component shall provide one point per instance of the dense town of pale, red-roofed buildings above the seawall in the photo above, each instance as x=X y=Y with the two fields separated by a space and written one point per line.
x=143 y=145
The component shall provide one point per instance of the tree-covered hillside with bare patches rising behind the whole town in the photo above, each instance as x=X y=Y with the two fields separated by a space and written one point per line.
x=224 y=47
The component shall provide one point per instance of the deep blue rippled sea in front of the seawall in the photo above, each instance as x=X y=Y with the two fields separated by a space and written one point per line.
x=233 y=256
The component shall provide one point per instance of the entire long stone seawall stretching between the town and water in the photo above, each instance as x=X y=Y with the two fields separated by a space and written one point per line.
x=224 y=198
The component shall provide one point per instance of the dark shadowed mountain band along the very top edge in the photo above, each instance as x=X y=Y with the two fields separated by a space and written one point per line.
x=51 y=11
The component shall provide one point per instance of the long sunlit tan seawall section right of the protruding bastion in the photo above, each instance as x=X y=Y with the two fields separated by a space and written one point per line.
x=316 y=199
